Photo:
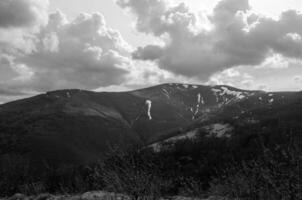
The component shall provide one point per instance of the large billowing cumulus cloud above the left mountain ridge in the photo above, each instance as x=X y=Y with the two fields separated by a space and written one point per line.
x=83 y=53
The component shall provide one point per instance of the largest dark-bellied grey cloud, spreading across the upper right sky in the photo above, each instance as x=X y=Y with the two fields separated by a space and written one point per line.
x=237 y=36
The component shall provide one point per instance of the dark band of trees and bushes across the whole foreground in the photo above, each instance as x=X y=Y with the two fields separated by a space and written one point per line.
x=262 y=162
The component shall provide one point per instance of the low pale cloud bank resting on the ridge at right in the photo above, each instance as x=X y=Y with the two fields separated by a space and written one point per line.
x=263 y=77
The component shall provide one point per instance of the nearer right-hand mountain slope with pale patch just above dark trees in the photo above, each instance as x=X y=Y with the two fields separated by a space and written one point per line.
x=261 y=110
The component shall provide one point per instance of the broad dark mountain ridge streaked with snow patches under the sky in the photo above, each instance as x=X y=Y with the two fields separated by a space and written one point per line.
x=77 y=126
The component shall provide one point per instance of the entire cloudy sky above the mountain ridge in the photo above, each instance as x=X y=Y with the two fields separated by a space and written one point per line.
x=118 y=45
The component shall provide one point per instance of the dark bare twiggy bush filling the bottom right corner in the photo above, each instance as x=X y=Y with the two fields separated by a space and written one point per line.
x=276 y=174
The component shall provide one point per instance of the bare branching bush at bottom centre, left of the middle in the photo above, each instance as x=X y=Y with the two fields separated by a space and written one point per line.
x=133 y=173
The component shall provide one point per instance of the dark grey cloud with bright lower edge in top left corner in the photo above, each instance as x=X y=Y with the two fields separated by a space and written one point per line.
x=19 y=20
